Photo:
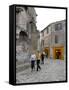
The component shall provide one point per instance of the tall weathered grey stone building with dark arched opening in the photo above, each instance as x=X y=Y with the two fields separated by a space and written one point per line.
x=26 y=32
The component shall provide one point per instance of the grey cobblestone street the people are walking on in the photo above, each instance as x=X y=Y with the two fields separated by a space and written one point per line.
x=51 y=70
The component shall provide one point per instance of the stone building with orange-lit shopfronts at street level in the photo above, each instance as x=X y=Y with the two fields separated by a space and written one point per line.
x=53 y=40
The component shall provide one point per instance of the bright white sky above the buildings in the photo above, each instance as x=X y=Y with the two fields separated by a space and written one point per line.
x=45 y=16
